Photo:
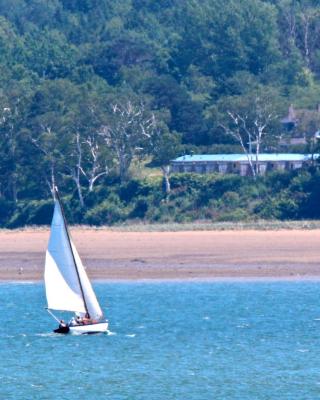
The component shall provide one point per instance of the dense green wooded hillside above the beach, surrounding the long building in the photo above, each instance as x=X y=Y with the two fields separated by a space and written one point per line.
x=96 y=97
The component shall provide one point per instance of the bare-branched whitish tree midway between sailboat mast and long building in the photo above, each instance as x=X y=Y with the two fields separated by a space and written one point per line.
x=127 y=132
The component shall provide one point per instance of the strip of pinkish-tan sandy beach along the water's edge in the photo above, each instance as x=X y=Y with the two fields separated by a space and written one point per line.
x=112 y=255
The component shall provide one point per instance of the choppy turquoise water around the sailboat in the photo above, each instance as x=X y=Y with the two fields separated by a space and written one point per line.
x=200 y=341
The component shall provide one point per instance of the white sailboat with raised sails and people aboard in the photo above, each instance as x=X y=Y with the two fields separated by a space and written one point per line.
x=67 y=285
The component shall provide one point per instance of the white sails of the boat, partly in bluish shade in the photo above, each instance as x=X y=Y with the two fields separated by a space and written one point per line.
x=67 y=285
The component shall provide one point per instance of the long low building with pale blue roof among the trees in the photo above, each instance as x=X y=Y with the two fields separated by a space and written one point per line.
x=238 y=163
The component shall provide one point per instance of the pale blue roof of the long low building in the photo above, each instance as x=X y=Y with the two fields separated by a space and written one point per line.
x=243 y=157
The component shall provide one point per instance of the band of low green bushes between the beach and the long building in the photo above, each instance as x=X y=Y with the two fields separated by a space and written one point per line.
x=281 y=195
